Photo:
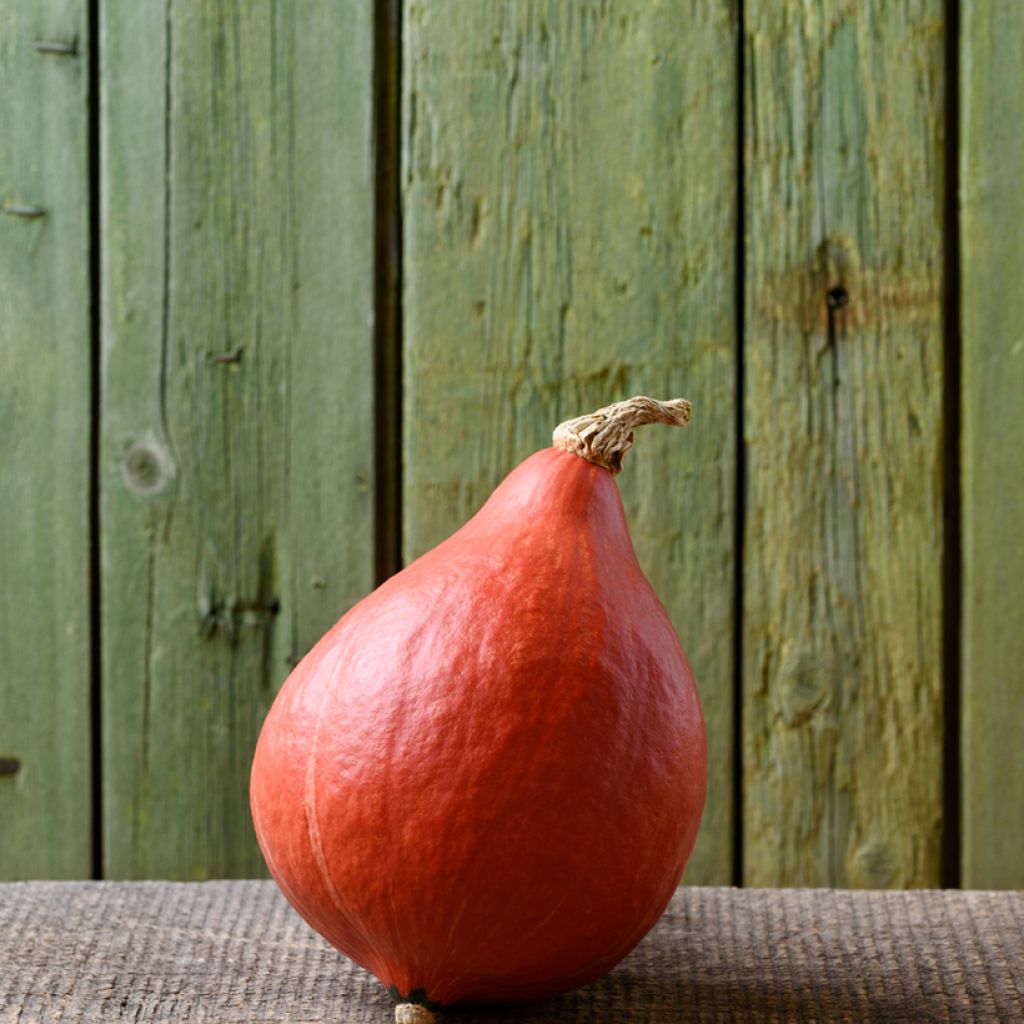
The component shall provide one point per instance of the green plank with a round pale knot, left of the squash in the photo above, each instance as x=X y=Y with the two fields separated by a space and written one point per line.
x=237 y=496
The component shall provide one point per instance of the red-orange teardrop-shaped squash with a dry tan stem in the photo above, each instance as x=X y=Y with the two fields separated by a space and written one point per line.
x=485 y=782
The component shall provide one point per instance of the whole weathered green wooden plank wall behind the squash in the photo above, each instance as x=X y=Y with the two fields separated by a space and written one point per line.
x=287 y=288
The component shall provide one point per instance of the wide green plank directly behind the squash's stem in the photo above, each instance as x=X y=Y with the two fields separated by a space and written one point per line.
x=569 y=190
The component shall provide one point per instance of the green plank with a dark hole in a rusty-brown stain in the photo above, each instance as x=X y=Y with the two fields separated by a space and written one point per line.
x=842 y=603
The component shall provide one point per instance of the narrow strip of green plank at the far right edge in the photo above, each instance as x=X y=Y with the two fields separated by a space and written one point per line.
x=993 y=326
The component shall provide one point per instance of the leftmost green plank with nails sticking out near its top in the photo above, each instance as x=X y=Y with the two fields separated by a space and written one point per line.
x=46 y=807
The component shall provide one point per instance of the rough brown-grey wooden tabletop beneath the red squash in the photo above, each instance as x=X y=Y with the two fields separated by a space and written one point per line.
x=234 y=953
